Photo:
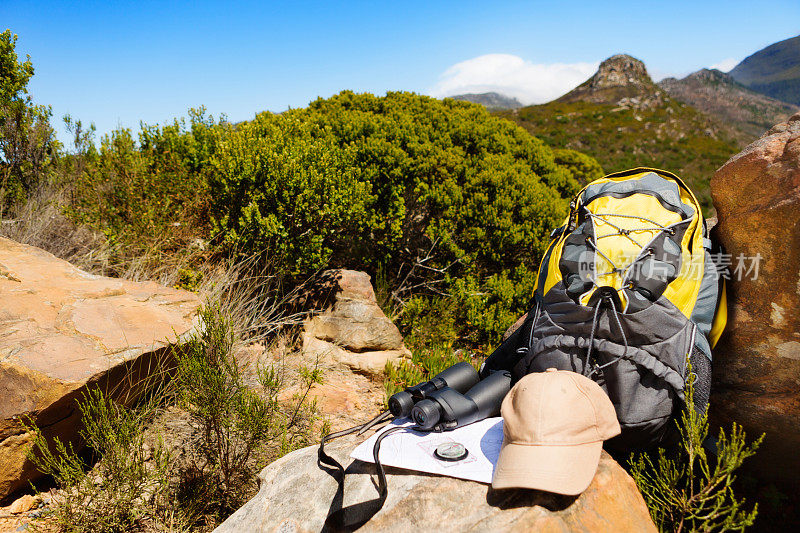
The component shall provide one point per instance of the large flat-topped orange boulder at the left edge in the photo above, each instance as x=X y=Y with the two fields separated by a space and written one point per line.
x=63 y=330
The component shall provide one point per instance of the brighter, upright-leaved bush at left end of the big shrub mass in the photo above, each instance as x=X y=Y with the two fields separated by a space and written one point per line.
x=279 y=184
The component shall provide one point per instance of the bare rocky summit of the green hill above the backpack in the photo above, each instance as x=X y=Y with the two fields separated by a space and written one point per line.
x=620 y=80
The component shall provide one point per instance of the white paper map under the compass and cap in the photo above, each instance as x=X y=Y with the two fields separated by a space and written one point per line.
x=414 y=450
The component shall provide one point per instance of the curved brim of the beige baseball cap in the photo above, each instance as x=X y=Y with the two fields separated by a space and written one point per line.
x=561 y=469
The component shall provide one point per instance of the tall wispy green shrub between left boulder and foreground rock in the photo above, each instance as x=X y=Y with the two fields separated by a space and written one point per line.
x=238 y=423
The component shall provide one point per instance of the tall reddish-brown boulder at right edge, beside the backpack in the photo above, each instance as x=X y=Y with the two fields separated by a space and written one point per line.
x=757 y=362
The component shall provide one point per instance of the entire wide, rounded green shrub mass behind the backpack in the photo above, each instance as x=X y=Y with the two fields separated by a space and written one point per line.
x=444 y=198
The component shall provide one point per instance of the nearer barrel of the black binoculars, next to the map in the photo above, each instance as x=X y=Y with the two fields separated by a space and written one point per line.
x=448 y=408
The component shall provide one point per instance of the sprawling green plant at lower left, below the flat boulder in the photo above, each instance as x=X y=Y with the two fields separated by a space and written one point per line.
x=127 y=487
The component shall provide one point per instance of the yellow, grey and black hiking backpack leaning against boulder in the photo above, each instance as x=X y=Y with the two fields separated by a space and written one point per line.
x=628 y=294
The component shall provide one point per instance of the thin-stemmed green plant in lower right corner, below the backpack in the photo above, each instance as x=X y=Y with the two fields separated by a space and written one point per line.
x=693 y=490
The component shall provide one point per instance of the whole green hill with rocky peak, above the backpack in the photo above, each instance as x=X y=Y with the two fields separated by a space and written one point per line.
x=624 y=120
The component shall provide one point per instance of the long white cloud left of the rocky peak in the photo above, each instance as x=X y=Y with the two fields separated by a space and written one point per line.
x=511 y=75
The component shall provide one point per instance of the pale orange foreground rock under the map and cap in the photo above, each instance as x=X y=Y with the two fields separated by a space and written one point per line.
x=295 y=496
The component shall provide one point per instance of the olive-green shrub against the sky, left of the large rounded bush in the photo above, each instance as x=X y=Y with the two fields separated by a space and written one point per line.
x=146 y=191
